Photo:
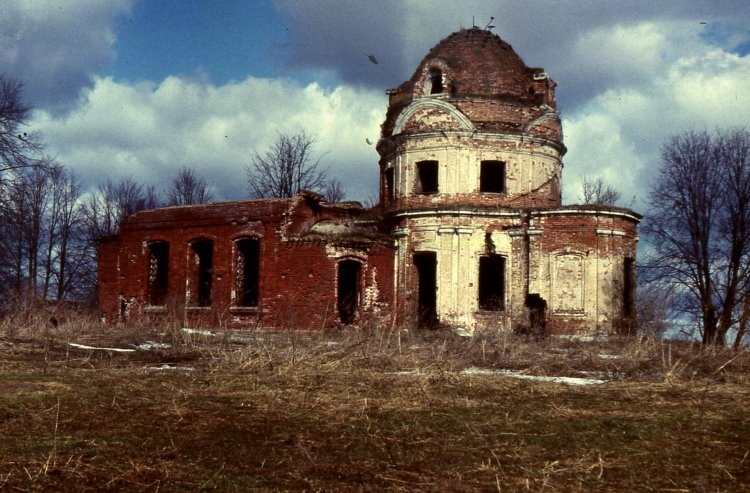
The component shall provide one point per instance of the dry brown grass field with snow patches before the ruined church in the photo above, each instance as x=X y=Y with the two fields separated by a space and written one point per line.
x=364 y=410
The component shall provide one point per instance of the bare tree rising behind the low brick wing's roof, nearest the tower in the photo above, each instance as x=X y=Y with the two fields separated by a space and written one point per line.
x=286 y=168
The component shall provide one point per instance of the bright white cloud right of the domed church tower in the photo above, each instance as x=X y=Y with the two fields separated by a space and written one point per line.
x=618 y=135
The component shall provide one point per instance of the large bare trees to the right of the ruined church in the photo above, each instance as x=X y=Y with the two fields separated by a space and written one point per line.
x=699 y=229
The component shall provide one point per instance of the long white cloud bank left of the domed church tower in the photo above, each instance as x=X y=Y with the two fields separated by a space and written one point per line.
x=149 y=131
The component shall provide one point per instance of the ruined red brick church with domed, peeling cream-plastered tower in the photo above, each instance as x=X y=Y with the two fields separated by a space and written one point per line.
x=470 y=231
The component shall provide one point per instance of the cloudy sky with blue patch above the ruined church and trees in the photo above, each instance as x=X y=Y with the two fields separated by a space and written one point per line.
x=141 y=88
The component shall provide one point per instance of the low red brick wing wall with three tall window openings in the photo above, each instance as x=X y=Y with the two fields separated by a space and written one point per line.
x=297 y=274
